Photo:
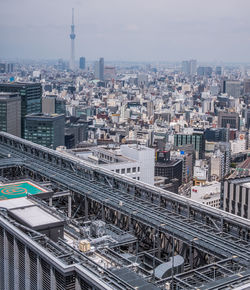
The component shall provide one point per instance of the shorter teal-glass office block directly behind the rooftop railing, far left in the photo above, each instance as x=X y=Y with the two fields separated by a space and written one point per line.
x=46 y=130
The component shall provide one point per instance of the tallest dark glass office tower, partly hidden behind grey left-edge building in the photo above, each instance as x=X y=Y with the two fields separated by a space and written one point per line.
x=31 y=96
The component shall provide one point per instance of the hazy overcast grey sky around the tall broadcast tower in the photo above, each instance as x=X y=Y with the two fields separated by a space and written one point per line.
x=140 y=30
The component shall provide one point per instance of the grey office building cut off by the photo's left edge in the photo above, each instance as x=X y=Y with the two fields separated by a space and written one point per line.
x=10 y=113
